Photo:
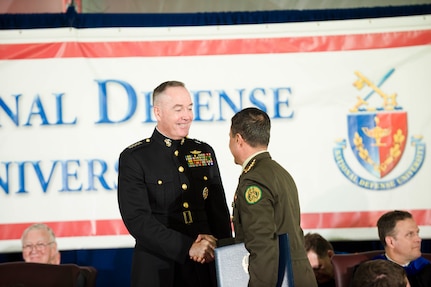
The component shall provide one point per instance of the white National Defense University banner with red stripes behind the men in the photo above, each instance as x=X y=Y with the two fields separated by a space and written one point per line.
x=349 y=103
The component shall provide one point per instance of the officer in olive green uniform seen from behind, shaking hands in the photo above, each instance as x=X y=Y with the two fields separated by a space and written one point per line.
x=265 y=204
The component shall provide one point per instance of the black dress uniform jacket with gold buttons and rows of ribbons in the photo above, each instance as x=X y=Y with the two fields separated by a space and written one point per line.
x=169 y=191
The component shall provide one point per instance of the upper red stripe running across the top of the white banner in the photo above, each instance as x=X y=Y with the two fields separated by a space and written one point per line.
x=215 y=47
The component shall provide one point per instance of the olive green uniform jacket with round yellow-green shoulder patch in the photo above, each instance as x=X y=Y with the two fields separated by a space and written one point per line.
x=266 y=205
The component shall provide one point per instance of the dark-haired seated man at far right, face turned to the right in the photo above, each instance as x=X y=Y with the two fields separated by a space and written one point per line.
x=399 y=235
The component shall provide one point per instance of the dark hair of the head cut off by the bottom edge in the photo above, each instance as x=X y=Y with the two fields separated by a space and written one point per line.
x=379 y=273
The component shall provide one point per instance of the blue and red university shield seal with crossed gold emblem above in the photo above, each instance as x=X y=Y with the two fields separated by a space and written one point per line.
x=378 y=136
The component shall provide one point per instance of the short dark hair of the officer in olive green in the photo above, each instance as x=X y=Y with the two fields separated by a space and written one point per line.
x=253 y=125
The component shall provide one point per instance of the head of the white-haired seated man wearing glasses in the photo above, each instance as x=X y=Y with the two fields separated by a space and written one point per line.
x=39 y=245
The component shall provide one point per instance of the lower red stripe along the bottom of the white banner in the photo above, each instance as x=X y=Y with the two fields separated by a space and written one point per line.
x=356 y=219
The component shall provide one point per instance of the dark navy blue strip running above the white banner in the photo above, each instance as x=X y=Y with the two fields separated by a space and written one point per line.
x=72 y=19
